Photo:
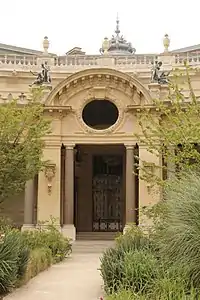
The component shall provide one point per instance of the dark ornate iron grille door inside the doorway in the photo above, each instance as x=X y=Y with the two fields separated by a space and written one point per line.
x=107 y=193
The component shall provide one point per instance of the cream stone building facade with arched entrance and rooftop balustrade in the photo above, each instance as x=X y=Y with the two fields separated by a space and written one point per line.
x=89 y=185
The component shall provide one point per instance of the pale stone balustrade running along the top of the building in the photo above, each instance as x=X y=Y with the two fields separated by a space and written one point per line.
x=73 y=62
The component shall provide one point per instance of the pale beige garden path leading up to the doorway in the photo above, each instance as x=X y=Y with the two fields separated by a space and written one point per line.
x=77 y=278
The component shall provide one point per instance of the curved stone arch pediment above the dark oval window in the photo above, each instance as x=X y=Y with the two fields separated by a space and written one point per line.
x=94 y=80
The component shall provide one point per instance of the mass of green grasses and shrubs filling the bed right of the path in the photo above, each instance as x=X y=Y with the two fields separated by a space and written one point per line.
x=165 y=263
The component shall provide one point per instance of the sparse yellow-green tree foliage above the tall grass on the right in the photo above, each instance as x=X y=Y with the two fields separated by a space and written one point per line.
x=172 y=130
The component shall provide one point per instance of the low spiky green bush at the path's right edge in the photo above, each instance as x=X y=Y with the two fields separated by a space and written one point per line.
x=131 y=254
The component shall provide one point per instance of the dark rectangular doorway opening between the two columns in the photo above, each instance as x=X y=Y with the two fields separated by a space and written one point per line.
x=100 y=188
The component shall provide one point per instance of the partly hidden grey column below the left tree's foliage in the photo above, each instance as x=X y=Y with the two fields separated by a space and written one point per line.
x=29 y=200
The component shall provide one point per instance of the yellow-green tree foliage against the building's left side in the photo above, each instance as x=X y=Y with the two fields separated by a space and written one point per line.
x=22 y=128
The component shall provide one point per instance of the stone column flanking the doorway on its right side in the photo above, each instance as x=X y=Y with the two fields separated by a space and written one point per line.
x=130 y=186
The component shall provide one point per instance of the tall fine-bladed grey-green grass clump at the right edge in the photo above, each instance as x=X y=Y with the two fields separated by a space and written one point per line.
x=179 y=240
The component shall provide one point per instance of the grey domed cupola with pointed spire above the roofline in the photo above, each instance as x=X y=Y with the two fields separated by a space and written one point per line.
x=117 y=45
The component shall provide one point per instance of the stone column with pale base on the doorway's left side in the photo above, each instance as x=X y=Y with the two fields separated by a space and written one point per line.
x=68 y=207
